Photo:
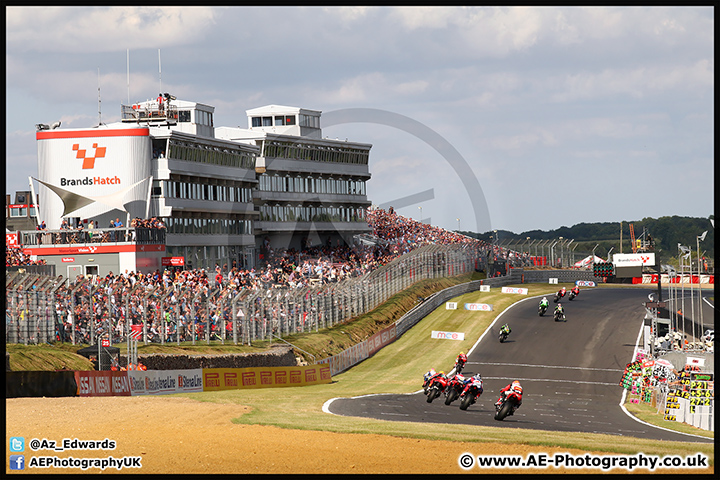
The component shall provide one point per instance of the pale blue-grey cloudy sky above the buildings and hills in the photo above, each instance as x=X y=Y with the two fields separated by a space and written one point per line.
x=480 y=118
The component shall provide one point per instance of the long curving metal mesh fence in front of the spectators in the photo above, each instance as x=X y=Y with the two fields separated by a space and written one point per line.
x=43 y=309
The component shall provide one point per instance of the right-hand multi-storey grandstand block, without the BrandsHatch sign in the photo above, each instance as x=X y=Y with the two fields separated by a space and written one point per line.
x=310 y=190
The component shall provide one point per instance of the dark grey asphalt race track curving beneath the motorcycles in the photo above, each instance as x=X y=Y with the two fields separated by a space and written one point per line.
x=570 y=371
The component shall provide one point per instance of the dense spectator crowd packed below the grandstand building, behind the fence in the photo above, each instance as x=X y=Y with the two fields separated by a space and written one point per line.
x=191 y=299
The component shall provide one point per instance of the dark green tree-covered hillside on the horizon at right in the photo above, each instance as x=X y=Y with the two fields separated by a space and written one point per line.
x=666 y=232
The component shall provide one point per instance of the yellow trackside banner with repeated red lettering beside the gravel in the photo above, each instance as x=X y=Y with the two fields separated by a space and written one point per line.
x=263 y=377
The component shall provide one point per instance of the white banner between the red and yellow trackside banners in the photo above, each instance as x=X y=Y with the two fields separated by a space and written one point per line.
x=164 y=382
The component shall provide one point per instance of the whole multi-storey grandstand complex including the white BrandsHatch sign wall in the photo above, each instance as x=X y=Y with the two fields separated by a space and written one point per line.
x=223 y=194
